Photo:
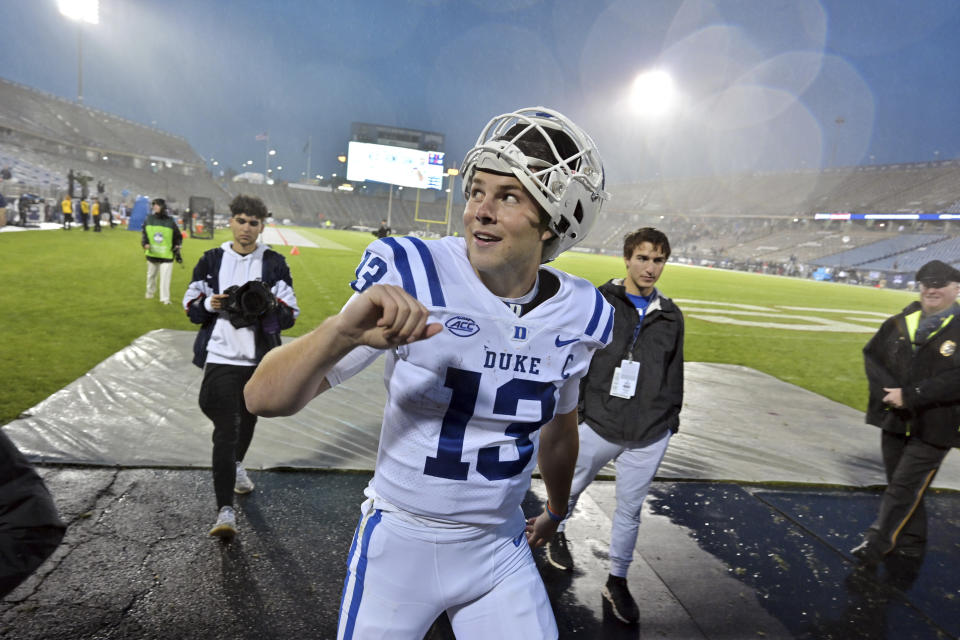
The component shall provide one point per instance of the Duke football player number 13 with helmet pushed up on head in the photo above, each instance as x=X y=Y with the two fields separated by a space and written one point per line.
x=485 y=347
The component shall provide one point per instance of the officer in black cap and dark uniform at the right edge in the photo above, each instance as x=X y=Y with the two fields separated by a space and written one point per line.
x=913 y=369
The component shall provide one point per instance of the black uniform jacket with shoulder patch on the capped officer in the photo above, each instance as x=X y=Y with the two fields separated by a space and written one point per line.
x=929 y=377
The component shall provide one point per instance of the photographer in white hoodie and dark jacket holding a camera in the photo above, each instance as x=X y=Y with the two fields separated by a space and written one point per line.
x=242 y=296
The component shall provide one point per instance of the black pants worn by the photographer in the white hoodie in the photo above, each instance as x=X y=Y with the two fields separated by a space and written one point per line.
x=221 y=400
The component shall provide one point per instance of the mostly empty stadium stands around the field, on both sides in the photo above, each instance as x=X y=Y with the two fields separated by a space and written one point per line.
x=742 y=221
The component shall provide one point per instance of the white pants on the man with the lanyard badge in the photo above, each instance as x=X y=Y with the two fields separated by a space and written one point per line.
x=636 y=468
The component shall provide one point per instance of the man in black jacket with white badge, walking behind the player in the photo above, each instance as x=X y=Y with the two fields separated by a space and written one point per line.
x=630 y=403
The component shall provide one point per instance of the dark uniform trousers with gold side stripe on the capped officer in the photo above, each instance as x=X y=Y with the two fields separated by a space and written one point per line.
x=911 y=465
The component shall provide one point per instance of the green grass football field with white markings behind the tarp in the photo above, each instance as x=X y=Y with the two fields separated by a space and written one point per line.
x=71 y=299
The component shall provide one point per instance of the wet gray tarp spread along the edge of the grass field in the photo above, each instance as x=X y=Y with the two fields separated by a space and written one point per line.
x=139 y=408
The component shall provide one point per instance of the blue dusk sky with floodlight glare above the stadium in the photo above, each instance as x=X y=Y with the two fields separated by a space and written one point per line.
x=762 y=85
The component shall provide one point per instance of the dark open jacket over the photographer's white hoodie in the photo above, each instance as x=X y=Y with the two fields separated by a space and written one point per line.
x=208 y=270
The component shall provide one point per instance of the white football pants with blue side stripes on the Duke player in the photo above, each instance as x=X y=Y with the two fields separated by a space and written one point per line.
x=401 y=576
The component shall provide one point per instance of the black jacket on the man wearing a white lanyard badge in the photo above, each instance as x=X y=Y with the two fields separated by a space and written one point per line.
x=655 y=407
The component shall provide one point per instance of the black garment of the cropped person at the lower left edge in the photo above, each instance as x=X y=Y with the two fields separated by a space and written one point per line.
x=30 y=528
